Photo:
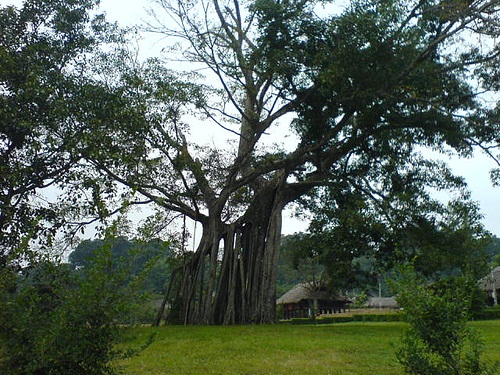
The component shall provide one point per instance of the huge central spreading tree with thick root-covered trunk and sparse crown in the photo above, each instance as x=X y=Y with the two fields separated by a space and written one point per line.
x=312 y=98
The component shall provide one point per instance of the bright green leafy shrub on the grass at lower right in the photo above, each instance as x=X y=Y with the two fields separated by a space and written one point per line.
x=439 y=340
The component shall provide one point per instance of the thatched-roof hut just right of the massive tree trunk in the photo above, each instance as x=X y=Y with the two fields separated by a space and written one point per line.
x=310 y=299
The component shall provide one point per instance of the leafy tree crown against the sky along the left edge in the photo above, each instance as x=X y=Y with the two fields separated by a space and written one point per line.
x=44 y=47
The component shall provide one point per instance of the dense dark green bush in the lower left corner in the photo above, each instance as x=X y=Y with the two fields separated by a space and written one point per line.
x=54 y=321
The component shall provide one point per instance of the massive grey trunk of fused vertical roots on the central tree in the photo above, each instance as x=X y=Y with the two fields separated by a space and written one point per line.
x=235 y=283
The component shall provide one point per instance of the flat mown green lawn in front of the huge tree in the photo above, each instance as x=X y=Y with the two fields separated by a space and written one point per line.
x=347 y=348
